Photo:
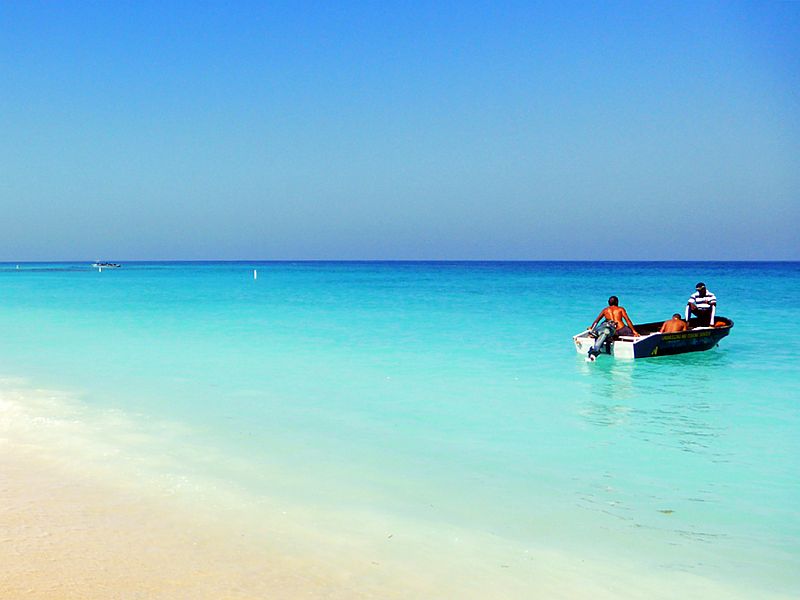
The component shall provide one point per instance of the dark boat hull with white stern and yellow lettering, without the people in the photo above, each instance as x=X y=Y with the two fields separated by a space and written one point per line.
x=697 y=339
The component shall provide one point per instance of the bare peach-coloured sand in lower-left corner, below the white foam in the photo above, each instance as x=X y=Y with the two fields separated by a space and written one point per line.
x=69 y=537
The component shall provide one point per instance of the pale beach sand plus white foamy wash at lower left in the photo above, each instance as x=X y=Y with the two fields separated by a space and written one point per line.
x=76 y=521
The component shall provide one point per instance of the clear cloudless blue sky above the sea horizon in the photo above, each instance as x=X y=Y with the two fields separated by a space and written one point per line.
x=380 y=130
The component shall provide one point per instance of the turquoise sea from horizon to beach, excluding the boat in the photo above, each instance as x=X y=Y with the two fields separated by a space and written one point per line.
x=439 y=404
